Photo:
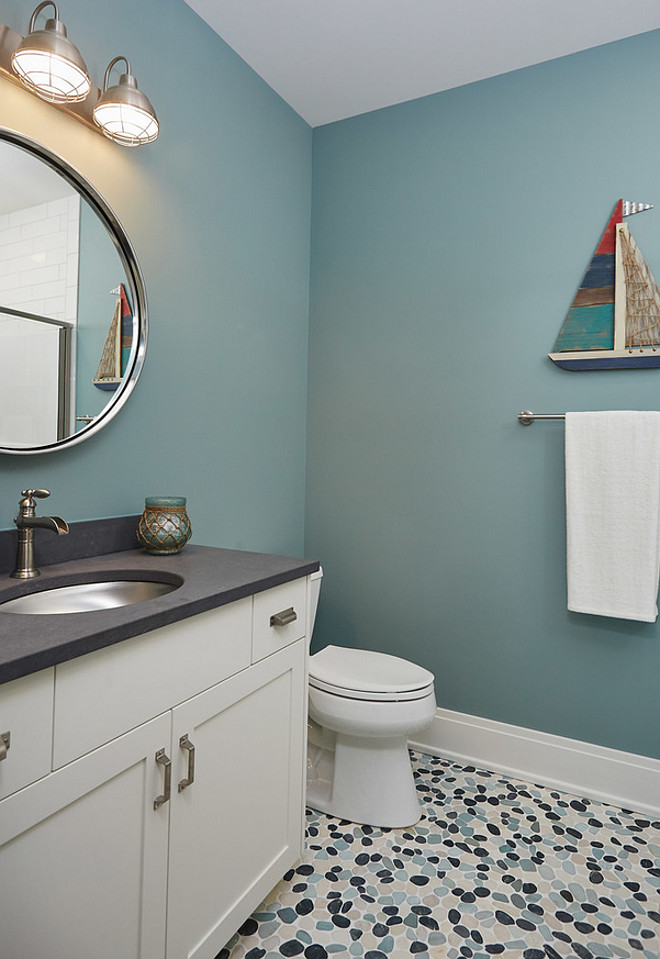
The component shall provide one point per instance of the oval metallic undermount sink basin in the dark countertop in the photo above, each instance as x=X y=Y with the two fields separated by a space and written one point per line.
x=87 y=597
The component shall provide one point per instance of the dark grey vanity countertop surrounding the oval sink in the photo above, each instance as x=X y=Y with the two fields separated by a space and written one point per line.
x=211 y=577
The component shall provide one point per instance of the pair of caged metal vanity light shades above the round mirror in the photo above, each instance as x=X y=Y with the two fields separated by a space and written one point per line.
x=50 y=65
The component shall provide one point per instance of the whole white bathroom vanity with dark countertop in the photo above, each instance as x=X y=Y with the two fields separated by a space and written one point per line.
x=152 y=771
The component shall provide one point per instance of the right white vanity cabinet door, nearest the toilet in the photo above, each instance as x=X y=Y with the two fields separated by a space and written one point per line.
x=237 y=828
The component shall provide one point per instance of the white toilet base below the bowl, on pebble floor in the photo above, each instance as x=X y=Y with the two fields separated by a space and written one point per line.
x=364 y=780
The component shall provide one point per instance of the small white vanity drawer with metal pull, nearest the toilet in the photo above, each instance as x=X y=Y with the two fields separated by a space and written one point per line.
x=286 y=602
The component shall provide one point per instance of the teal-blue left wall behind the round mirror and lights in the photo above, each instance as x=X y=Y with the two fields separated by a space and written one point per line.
x=218 y=210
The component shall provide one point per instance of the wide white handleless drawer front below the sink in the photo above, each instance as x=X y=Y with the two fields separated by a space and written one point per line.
x=104 y=694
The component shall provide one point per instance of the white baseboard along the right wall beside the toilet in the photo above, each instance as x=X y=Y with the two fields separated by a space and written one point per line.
x=593 y=772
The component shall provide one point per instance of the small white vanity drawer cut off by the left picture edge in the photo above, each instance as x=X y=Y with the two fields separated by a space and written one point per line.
x=26 y=714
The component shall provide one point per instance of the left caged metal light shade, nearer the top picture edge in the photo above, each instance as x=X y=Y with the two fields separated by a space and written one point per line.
x=49 y=64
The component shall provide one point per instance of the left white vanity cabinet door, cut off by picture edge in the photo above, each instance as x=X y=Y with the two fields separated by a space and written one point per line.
x=83 y=856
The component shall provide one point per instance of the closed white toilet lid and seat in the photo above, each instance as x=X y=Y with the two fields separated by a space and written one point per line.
x=365 y=674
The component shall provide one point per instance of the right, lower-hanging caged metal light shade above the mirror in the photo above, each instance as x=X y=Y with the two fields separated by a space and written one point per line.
x=123 y=112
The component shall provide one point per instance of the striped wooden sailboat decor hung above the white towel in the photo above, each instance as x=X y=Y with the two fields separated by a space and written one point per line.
x=614 y=320
